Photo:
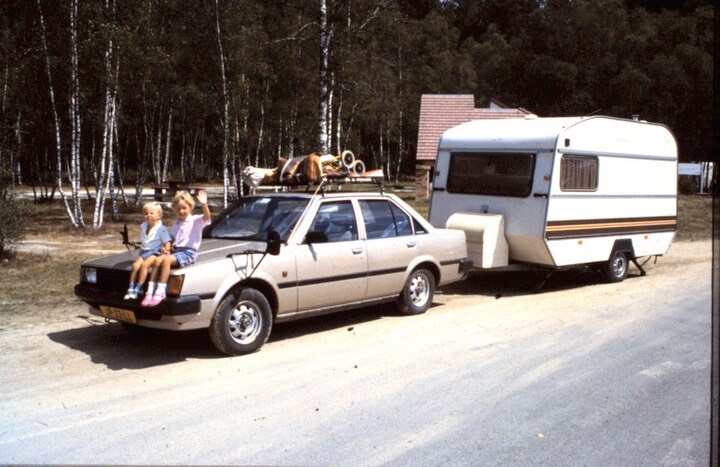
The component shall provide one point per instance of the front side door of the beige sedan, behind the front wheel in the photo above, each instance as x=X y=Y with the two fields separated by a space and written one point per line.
x=332 y=261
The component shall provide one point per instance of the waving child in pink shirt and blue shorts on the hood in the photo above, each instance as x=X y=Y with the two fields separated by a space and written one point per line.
x=187 y=235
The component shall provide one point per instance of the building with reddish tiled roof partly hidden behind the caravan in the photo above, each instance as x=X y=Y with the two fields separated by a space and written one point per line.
x=439 y=112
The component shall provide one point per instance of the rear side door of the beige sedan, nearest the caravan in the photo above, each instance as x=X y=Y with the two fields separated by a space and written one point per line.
x=391 y=246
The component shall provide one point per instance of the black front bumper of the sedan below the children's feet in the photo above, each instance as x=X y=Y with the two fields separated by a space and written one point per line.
x=171 y=306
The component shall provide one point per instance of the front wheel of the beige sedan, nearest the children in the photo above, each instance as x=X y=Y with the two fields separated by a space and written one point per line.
x=242 y=322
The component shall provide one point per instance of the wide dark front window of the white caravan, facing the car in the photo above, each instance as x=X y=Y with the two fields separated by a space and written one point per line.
x=497 y=174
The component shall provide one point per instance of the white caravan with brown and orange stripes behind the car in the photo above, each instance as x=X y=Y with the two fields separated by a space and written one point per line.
x=558 y=192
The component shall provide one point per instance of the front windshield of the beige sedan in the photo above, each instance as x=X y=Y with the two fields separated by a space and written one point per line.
x=253 y=217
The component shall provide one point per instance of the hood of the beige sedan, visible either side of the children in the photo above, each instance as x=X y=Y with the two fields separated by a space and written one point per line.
x=210 y=250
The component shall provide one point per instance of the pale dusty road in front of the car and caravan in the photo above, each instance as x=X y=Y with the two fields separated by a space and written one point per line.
x=582 y=373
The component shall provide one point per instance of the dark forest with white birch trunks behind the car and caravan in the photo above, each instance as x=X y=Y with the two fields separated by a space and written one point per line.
x=100 y=95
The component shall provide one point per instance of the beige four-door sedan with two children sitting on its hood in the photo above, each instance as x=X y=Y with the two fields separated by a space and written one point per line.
x=284 y=256
